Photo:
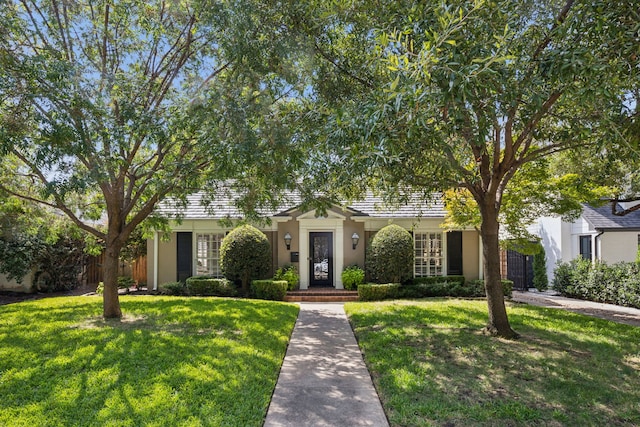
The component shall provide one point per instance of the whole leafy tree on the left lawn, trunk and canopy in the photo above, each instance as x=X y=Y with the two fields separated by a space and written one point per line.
x=110 y=106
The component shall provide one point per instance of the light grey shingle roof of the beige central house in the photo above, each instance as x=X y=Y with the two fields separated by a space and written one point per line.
x=223 y=206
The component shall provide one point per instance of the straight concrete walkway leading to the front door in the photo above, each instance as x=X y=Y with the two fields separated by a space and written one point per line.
x=323 y=380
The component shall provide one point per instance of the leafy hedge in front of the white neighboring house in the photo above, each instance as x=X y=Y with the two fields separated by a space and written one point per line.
x=617 y=283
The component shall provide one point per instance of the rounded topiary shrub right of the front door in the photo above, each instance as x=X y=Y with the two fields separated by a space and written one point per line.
x=390 y=257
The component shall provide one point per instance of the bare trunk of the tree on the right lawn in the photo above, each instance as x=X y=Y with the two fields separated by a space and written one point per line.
x=498 y=323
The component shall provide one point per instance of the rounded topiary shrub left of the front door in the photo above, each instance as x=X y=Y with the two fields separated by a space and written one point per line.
x=245 y=255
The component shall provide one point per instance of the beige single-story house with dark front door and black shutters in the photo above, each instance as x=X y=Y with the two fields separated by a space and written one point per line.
x=319 y=246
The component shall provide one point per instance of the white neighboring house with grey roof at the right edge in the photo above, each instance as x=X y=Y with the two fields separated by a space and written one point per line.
x=596 y=235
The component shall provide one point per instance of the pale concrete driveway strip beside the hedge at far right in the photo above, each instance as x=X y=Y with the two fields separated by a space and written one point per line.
x=616 y=313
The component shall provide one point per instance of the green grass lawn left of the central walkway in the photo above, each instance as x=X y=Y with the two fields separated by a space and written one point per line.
x=169 y=361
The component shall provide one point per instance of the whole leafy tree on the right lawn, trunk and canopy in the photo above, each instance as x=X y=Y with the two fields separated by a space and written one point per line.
x=467 y=94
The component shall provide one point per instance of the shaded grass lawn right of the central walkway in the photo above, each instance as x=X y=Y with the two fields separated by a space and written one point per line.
x=432 y=365
